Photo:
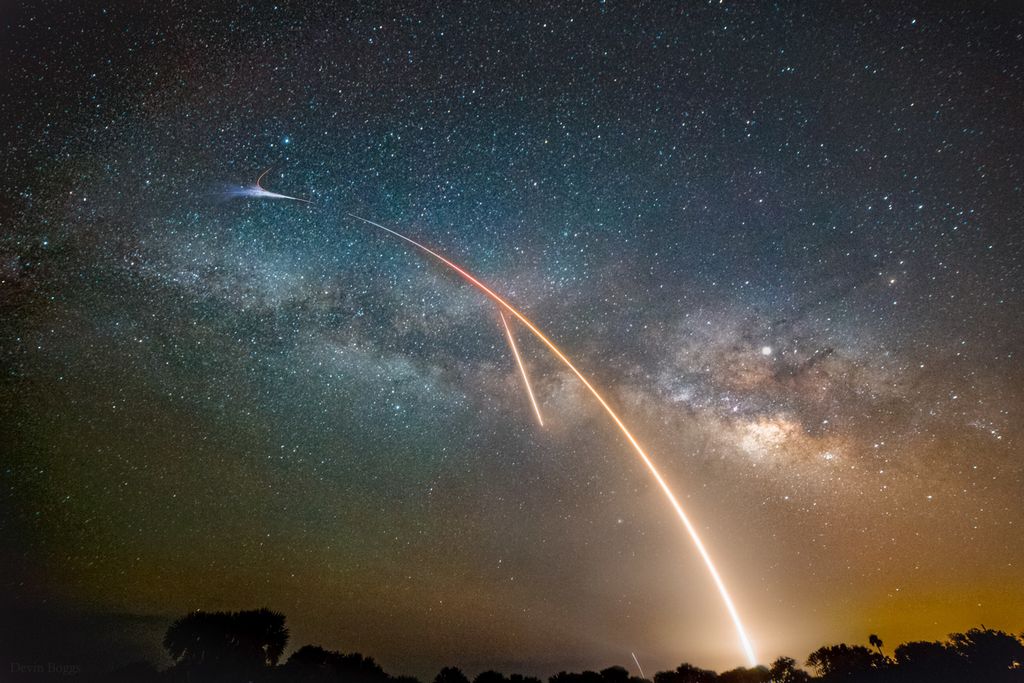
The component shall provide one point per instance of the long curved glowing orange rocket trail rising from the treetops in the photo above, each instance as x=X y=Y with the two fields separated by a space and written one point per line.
x=691 y=530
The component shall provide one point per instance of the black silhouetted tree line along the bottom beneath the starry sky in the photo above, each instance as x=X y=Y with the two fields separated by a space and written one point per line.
x=247 y=647
